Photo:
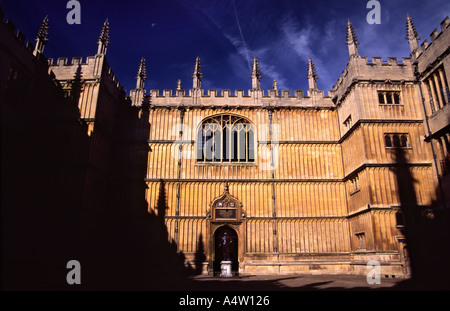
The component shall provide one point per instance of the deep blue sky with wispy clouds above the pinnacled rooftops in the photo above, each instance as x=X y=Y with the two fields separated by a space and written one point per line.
x=226 y=35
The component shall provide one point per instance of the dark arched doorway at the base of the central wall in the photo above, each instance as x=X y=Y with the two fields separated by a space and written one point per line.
x=225 y=248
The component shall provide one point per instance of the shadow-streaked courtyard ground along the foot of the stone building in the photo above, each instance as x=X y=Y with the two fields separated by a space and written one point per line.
x=148 y=280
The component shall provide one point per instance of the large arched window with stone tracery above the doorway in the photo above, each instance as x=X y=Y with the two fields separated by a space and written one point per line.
x=226 y=138
